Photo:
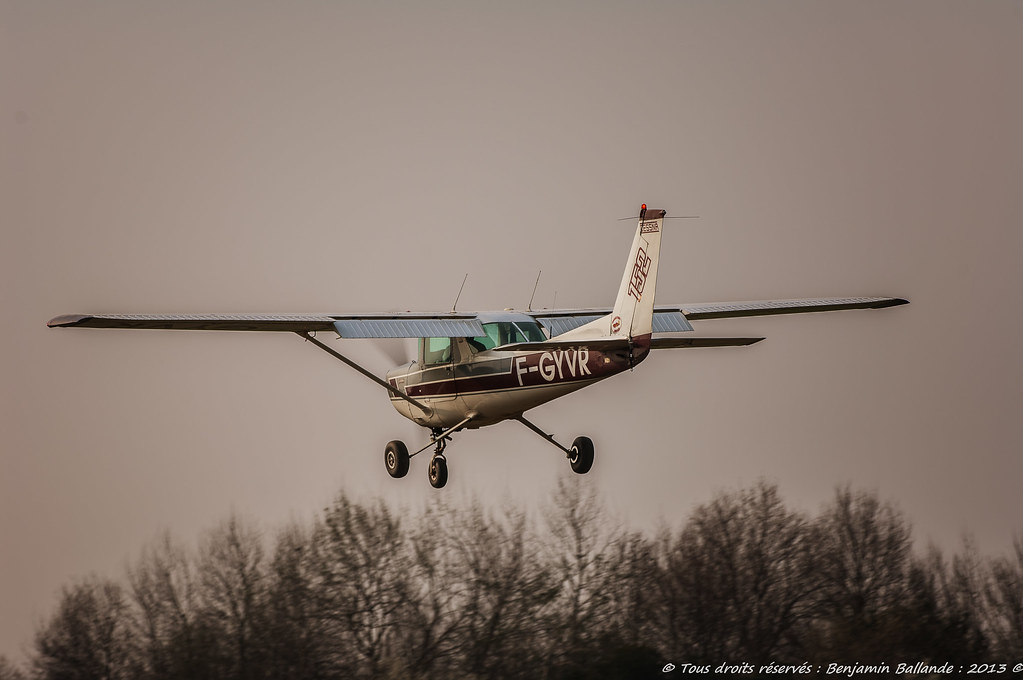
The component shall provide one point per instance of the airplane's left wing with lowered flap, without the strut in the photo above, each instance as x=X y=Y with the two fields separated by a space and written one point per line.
x=401 y=325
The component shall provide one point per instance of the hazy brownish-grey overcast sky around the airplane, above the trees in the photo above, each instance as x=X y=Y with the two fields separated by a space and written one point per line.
x=330 y=157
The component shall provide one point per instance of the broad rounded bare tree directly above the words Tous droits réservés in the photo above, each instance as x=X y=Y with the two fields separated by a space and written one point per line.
x=739 y=581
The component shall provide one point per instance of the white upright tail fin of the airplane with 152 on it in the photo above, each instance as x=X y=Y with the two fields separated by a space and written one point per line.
x=634 y=312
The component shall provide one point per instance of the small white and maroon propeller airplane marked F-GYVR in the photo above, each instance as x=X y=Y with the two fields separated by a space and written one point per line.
x=480 y=369
